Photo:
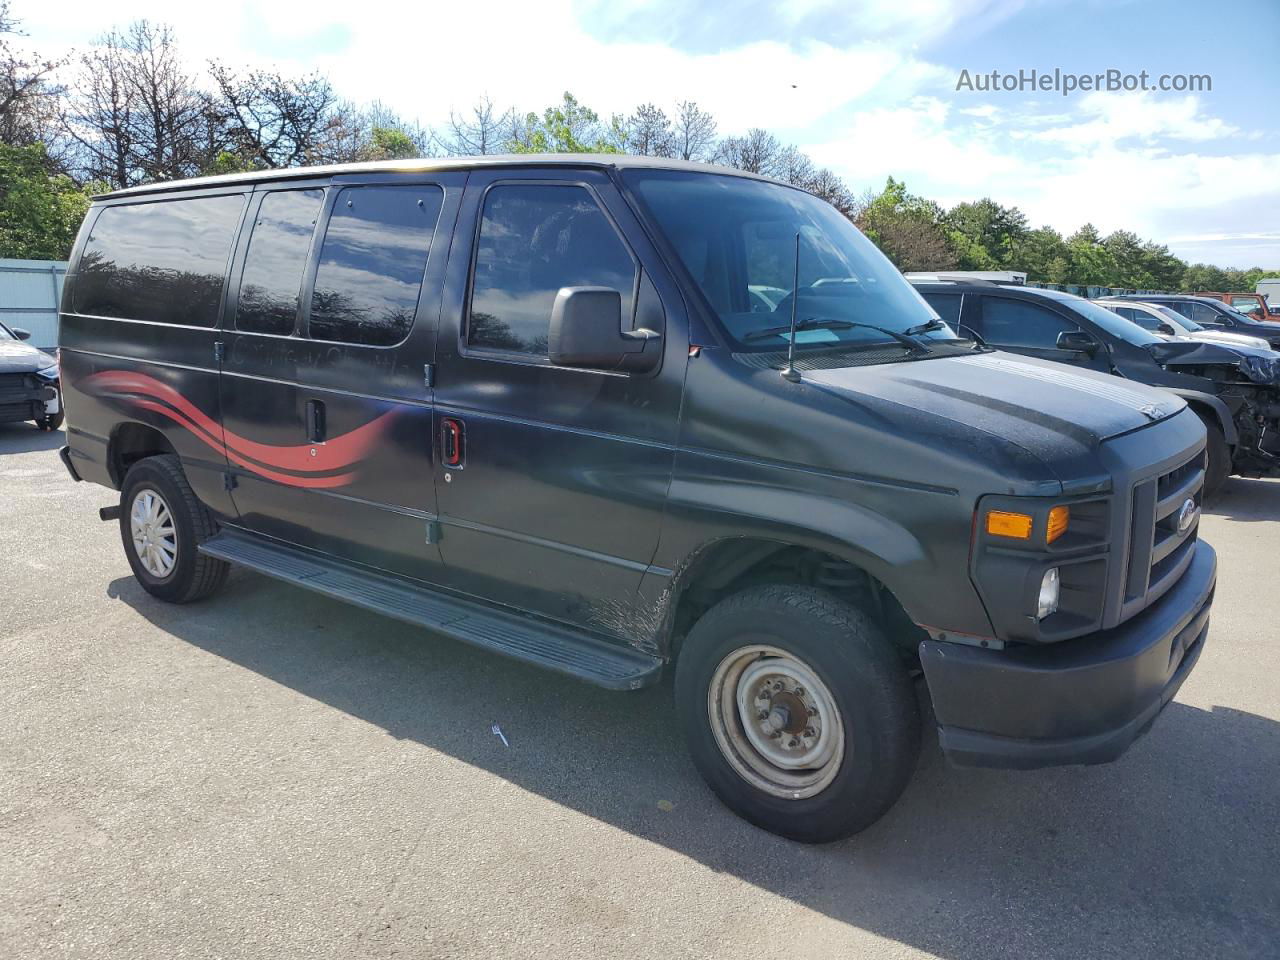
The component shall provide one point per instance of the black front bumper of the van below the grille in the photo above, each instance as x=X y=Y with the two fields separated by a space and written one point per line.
x=1082 y=701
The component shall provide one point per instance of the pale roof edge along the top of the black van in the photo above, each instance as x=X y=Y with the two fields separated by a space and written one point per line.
x=444 y=163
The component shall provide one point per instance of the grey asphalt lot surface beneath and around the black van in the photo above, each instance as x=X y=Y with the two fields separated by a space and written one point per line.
x=275 y=775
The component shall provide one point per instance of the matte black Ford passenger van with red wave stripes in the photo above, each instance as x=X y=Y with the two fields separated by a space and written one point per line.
x=541 y=405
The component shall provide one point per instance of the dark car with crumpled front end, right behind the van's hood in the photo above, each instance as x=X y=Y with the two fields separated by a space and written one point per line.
x=1236 y=395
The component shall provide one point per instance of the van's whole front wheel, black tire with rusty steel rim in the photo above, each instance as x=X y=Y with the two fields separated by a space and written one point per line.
x=798 y=712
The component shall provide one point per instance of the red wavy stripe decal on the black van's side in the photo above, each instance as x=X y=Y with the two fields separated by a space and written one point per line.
x=339 y=454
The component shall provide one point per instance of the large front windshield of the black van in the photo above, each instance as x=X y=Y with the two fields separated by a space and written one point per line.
x=738 y=239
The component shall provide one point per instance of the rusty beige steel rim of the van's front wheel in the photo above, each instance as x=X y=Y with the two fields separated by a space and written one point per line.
x=776 y=723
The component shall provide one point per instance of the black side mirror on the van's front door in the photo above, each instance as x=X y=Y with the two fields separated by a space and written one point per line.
x=587 y=331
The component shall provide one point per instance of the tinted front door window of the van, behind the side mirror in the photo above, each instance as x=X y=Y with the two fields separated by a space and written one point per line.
x=534 y=240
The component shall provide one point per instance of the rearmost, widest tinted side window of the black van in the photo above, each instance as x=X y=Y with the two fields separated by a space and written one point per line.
x=162 y=262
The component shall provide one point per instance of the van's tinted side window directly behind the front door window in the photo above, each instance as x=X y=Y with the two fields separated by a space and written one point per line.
x=372 y=264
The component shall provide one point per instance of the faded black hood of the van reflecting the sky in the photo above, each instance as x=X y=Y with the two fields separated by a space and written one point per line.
x=1031 y=403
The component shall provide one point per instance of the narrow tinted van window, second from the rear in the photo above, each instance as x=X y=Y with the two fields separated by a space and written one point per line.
x=277 y=258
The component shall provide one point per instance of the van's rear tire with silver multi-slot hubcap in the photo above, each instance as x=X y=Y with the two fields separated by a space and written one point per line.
x=162 y=524
